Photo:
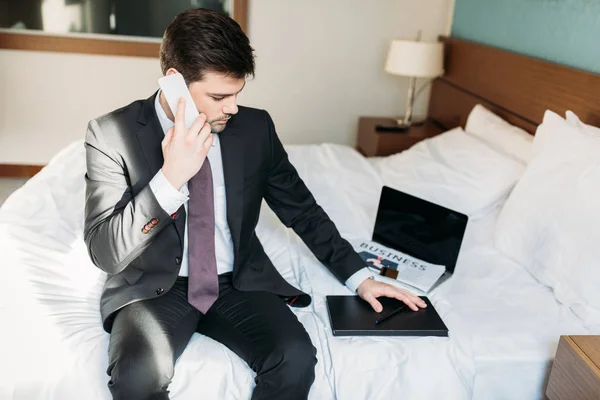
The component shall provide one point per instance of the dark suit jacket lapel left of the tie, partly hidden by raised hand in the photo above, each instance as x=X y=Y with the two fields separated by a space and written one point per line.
x=150 y=136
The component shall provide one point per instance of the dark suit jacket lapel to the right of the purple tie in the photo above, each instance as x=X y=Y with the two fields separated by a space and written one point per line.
x=232 y=154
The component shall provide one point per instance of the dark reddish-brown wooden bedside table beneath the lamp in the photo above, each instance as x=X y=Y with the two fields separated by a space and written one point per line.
x=372 y=143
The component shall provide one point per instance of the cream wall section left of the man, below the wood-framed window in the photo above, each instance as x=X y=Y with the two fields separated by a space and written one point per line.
x=47 y=99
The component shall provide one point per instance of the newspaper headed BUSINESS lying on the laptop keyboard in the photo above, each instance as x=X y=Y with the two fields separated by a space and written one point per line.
x=411 y=271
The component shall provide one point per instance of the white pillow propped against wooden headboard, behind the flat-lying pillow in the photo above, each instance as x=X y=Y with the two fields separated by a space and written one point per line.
x=497 y=132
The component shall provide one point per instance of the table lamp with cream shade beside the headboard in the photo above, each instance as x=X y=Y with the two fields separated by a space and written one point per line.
x=414 y=59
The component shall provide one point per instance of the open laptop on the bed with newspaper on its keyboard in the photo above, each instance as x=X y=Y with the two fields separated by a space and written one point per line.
x=415 y=232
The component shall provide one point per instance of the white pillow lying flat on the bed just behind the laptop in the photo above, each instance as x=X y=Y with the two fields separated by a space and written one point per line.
x=454 y=170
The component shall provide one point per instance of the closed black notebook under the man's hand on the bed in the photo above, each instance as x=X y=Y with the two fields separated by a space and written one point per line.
x=352 y=316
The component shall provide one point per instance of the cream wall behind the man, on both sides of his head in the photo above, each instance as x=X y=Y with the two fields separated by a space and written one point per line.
x=319 y=67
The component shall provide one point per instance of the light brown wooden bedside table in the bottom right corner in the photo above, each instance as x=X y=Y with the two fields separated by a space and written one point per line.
x=576 y=369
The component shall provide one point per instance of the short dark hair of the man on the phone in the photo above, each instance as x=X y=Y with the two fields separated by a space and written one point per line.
x=199 y=40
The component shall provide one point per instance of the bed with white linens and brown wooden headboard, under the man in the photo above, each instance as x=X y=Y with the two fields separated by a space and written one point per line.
x=504 y=324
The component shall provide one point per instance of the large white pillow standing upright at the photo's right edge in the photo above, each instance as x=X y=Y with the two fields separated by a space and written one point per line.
x=550 y=222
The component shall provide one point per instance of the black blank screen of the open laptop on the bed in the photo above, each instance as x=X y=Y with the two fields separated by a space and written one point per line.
x=419 y=228
